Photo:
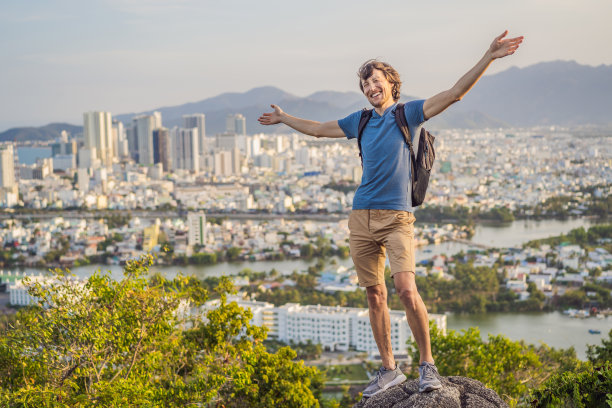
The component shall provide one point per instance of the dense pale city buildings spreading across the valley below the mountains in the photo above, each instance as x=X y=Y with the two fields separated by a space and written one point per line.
x=116 y=192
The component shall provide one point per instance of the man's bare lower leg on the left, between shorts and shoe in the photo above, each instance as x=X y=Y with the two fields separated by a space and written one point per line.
x=381 y=326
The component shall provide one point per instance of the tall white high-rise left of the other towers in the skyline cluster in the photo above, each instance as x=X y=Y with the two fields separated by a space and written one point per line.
x=97 y=133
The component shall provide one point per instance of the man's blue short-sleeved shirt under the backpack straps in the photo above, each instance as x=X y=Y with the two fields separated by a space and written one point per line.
x=385 y=184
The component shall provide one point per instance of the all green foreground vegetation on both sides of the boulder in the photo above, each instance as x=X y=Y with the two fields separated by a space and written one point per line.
x=129 y=343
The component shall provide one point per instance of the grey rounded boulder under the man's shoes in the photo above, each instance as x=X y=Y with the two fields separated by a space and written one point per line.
x=456 y=392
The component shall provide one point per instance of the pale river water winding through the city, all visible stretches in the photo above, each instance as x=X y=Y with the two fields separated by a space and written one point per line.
x=554 y=329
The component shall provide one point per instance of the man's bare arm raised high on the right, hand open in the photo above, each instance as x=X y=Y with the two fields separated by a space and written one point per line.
x=499 y=48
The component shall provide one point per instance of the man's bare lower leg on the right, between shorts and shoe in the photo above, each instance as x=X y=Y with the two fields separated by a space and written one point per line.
x=418 y=319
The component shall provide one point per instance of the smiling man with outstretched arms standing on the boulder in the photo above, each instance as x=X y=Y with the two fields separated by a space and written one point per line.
x=382 y=218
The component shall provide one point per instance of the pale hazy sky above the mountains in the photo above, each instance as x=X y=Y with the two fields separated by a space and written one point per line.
x=60 y=58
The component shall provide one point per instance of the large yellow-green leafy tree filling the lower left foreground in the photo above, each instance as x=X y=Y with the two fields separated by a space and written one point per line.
x=130 y=343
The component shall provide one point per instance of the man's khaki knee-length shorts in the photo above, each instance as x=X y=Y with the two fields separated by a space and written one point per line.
x=372 y=233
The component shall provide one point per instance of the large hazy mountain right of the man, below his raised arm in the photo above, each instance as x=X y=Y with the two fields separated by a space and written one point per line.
x=549 y=93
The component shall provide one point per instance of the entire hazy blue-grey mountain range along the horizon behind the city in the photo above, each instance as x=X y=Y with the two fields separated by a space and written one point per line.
x=549 y=93
